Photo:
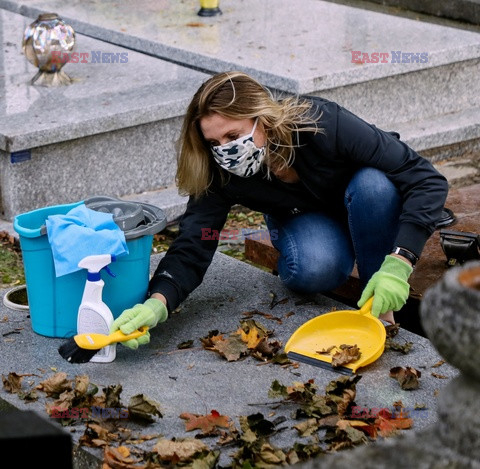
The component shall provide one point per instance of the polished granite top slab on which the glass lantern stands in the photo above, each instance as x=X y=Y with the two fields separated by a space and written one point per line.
x=104 y=96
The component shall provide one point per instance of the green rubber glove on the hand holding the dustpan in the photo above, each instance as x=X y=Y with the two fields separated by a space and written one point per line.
x=389 y=286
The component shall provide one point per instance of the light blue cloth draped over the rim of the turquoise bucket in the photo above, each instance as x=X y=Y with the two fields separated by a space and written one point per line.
x=82 y=232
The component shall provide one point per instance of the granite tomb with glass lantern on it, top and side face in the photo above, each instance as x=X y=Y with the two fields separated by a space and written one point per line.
x=111 y=132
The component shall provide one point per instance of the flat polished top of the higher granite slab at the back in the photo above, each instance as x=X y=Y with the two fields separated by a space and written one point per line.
x=301 y=47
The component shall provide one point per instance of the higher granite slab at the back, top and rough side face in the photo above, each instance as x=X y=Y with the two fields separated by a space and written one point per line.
x=332 y=59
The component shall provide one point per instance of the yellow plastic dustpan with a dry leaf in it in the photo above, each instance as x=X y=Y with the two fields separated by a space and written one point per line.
x=351 y=327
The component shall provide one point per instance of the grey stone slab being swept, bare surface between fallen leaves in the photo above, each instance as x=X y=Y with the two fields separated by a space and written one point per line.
x=195 y=380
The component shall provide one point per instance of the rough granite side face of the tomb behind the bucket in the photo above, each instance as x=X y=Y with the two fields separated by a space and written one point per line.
x=116 y=163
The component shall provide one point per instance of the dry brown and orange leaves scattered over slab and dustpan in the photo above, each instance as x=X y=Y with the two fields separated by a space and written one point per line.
x=327 y=421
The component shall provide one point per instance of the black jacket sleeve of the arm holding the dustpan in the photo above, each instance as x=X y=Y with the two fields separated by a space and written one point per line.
x=422 y=187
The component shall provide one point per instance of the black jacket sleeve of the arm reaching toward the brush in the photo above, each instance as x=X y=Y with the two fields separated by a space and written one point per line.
x=183 y=267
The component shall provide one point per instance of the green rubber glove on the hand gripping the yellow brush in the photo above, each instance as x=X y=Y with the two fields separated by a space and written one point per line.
x=148 y=314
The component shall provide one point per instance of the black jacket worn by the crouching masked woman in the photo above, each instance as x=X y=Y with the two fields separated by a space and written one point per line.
x=325 y=164
